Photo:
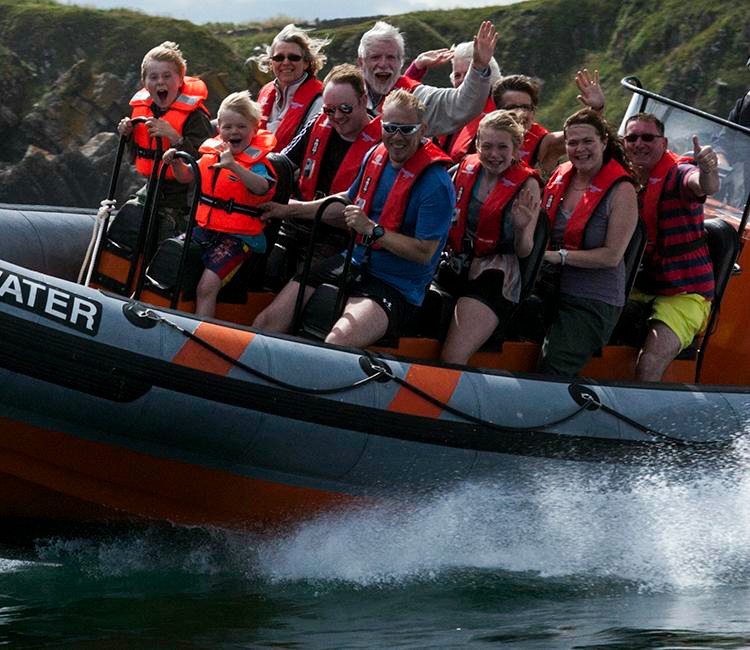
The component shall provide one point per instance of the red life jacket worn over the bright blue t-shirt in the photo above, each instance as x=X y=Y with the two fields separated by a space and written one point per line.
x=398 y=198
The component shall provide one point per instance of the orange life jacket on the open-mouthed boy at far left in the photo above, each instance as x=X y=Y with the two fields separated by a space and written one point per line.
x=193 y=93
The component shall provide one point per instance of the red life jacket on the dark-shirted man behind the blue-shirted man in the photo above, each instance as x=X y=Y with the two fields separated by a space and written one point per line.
x=348 y=167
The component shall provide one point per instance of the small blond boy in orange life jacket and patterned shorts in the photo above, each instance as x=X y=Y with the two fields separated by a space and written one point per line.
x=235 y=177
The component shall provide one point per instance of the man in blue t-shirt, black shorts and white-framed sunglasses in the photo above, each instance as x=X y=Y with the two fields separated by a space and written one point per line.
x=403 y=203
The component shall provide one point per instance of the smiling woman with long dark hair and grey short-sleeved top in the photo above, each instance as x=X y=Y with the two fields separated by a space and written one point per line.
x=592 y=206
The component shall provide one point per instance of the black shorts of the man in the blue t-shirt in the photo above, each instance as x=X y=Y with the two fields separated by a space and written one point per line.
x=362 y=284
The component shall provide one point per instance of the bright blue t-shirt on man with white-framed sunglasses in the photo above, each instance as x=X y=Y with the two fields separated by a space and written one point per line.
x=428 y=217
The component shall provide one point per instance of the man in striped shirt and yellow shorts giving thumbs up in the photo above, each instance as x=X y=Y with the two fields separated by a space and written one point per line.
x=677 y=278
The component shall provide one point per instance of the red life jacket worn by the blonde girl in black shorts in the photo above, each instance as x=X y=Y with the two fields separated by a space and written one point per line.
x=490 y=227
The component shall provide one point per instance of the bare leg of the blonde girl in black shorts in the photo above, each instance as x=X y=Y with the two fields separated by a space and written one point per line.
x=472 y=324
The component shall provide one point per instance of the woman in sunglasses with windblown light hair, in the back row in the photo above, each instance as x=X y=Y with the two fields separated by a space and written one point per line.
x=294 y=95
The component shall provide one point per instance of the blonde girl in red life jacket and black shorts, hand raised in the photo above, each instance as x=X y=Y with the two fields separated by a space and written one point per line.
x=497 y=205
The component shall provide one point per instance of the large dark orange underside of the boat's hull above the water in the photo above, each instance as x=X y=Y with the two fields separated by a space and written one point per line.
x=92 y=476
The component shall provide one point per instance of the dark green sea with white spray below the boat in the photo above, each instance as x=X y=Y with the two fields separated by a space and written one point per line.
x=652 y=560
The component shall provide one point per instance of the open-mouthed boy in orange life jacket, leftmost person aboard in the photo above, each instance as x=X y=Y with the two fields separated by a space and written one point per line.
x=173 y=106
